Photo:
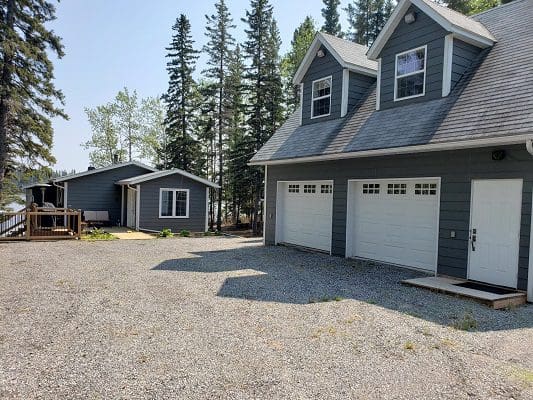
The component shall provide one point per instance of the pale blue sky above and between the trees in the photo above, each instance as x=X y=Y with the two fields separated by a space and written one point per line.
x=112 y=44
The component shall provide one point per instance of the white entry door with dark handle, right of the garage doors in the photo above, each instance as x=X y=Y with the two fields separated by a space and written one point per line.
x=495 y=231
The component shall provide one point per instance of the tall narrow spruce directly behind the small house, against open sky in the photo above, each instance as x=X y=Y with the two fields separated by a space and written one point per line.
x=182 y=149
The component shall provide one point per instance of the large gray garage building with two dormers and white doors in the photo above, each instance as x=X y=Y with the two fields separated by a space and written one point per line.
x=416 y=152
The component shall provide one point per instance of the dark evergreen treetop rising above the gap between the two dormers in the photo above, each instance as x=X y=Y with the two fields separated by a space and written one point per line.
x=366 y=18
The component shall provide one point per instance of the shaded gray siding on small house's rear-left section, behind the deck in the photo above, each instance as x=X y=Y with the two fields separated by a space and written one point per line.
x=98 y=192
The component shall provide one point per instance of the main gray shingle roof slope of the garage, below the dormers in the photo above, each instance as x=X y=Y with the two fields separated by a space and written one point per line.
x=492 y=99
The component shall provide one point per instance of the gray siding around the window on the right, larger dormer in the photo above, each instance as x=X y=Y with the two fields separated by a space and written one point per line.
x=424 y=31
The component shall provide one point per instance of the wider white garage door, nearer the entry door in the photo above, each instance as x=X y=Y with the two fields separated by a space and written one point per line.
x=395 y=221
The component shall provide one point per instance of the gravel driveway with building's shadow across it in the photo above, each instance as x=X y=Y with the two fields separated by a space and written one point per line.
x=227 y=318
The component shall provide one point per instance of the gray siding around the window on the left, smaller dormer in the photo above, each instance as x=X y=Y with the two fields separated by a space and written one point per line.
x=322 y=68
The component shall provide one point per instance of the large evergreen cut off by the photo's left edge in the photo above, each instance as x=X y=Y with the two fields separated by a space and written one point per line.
x=27 y=93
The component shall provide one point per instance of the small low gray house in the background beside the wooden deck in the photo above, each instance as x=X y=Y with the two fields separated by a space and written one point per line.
x=131 y=194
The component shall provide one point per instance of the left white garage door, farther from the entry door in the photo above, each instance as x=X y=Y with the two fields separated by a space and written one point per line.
x=304 y=214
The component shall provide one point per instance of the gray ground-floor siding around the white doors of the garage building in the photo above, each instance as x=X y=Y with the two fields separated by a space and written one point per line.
x=456 y=169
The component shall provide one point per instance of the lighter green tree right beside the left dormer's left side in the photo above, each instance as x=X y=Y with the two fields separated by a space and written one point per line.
x=301 y=40
